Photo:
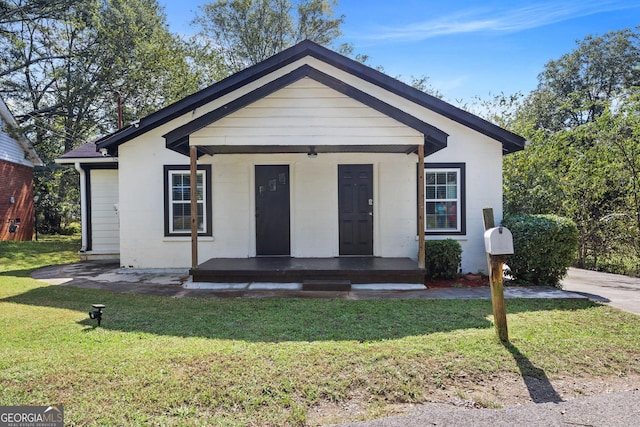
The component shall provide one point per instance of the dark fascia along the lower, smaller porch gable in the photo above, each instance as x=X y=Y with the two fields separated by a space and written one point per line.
x=434 y=138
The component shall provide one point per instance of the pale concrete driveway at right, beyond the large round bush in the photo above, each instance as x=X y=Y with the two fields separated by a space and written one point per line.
x=618 y=291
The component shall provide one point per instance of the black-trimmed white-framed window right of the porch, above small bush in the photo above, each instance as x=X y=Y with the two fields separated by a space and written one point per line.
x=444 y=198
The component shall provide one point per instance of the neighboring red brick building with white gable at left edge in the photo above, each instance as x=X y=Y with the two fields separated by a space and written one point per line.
x=17 y=160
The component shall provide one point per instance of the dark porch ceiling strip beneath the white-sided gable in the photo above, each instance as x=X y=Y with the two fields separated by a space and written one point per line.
x=320 y=149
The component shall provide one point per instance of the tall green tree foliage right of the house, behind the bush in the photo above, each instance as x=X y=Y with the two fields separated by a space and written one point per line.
x=582 y=161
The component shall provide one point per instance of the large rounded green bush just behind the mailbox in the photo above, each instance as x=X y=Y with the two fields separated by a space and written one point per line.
x=545 y=246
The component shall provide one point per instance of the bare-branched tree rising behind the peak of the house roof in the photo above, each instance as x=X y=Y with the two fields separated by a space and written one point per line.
x=245 y=32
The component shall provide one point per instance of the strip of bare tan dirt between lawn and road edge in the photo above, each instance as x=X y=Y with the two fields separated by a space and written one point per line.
x=475 y=392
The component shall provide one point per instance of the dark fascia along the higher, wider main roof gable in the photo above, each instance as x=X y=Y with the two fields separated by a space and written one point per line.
x=511 y=142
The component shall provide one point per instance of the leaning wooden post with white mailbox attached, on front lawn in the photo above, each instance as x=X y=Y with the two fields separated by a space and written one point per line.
x=498 y=244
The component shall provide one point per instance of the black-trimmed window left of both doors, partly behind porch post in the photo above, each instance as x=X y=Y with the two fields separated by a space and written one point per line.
x=177 y=200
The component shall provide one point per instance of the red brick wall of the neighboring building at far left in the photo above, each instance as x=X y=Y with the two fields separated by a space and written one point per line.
x=16 y=201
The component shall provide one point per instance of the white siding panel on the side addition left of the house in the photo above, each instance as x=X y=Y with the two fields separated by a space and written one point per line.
x=105 y=226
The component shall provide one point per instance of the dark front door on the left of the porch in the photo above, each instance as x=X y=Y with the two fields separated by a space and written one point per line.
x=272 y=210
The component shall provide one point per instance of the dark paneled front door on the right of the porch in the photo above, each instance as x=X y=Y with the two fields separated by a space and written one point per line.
x=355 y=193
